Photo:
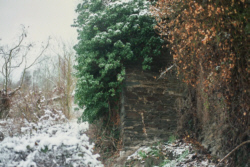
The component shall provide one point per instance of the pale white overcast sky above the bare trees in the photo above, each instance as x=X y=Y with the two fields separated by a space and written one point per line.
x=42 y=18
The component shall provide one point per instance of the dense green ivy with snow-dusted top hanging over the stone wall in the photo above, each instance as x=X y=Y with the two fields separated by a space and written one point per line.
x=110 y=36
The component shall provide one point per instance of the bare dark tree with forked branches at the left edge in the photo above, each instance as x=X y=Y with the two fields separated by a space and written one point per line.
x=13 y=58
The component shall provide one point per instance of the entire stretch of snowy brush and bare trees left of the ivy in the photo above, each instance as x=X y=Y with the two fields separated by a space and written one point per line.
x=38 y=126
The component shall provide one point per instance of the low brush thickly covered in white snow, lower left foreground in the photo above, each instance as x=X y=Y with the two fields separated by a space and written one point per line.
x=54 y=141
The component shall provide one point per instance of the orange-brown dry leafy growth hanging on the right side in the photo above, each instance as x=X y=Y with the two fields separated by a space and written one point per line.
x=210 y=44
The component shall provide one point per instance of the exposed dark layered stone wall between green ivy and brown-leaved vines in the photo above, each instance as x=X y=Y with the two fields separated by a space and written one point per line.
x=148 y=111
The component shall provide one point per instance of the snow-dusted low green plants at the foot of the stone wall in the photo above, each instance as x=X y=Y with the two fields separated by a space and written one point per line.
x=170 y=154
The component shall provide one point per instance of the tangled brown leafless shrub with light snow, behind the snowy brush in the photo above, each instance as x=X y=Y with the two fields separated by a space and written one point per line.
x=27 y=112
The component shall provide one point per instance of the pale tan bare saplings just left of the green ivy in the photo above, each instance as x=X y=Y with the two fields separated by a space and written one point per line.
x=53 y=77
